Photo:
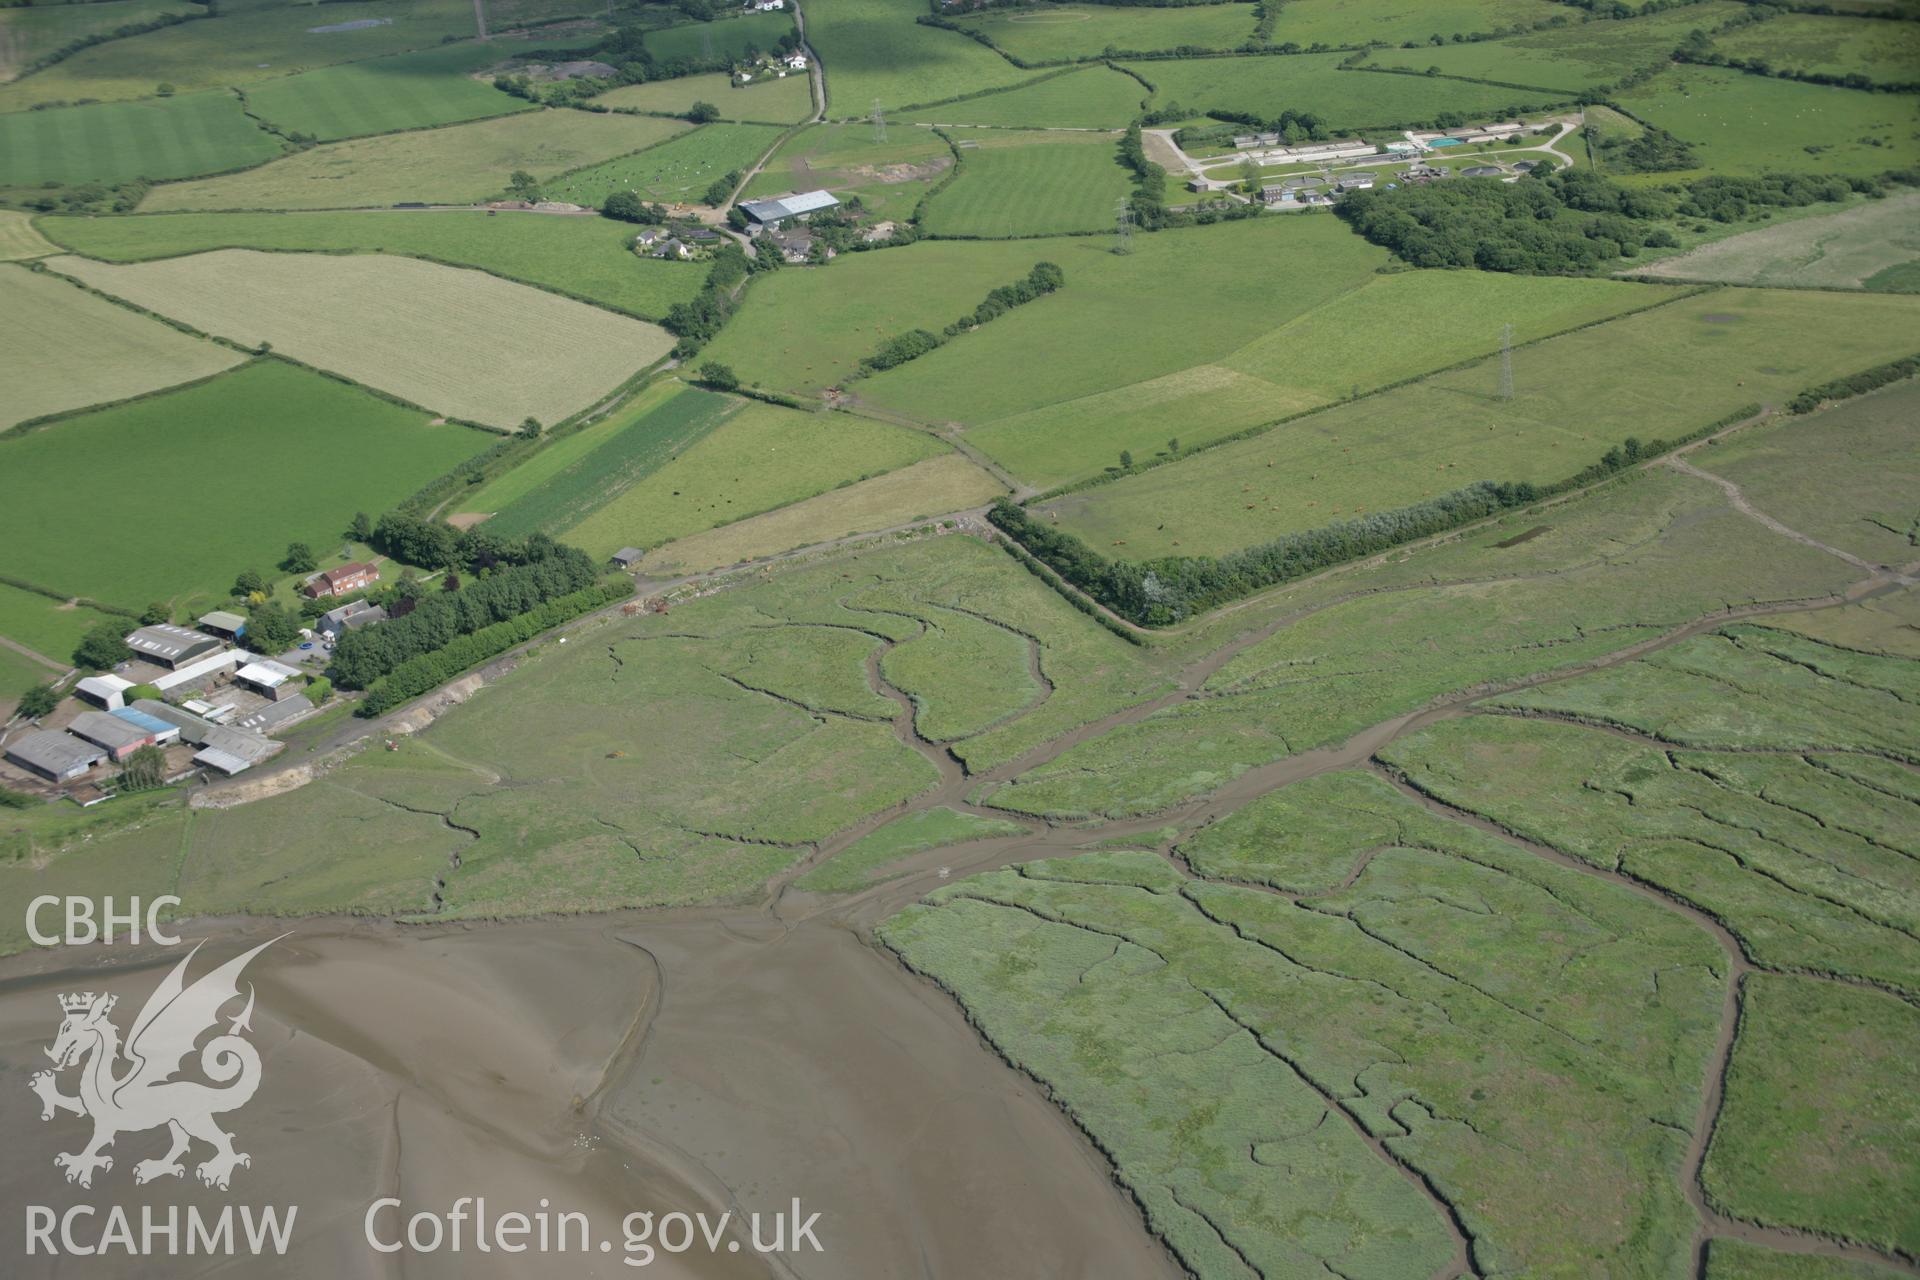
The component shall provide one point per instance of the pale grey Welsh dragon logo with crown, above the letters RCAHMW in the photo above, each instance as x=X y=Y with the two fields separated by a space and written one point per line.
x=132 y=1087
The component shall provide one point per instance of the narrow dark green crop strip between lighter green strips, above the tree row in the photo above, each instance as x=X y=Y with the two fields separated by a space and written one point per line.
x=665 y=423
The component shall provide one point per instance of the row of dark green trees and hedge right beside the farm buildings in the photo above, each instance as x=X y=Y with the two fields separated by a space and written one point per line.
x=435 y=621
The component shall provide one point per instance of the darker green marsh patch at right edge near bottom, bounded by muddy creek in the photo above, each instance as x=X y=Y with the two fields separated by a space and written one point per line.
x=1821 y=1156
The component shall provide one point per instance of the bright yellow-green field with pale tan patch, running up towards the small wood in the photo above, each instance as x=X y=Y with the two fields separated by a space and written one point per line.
x=1389 y=329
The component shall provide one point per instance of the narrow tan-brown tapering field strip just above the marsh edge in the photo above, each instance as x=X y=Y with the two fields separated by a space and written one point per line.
x=911 y=494
